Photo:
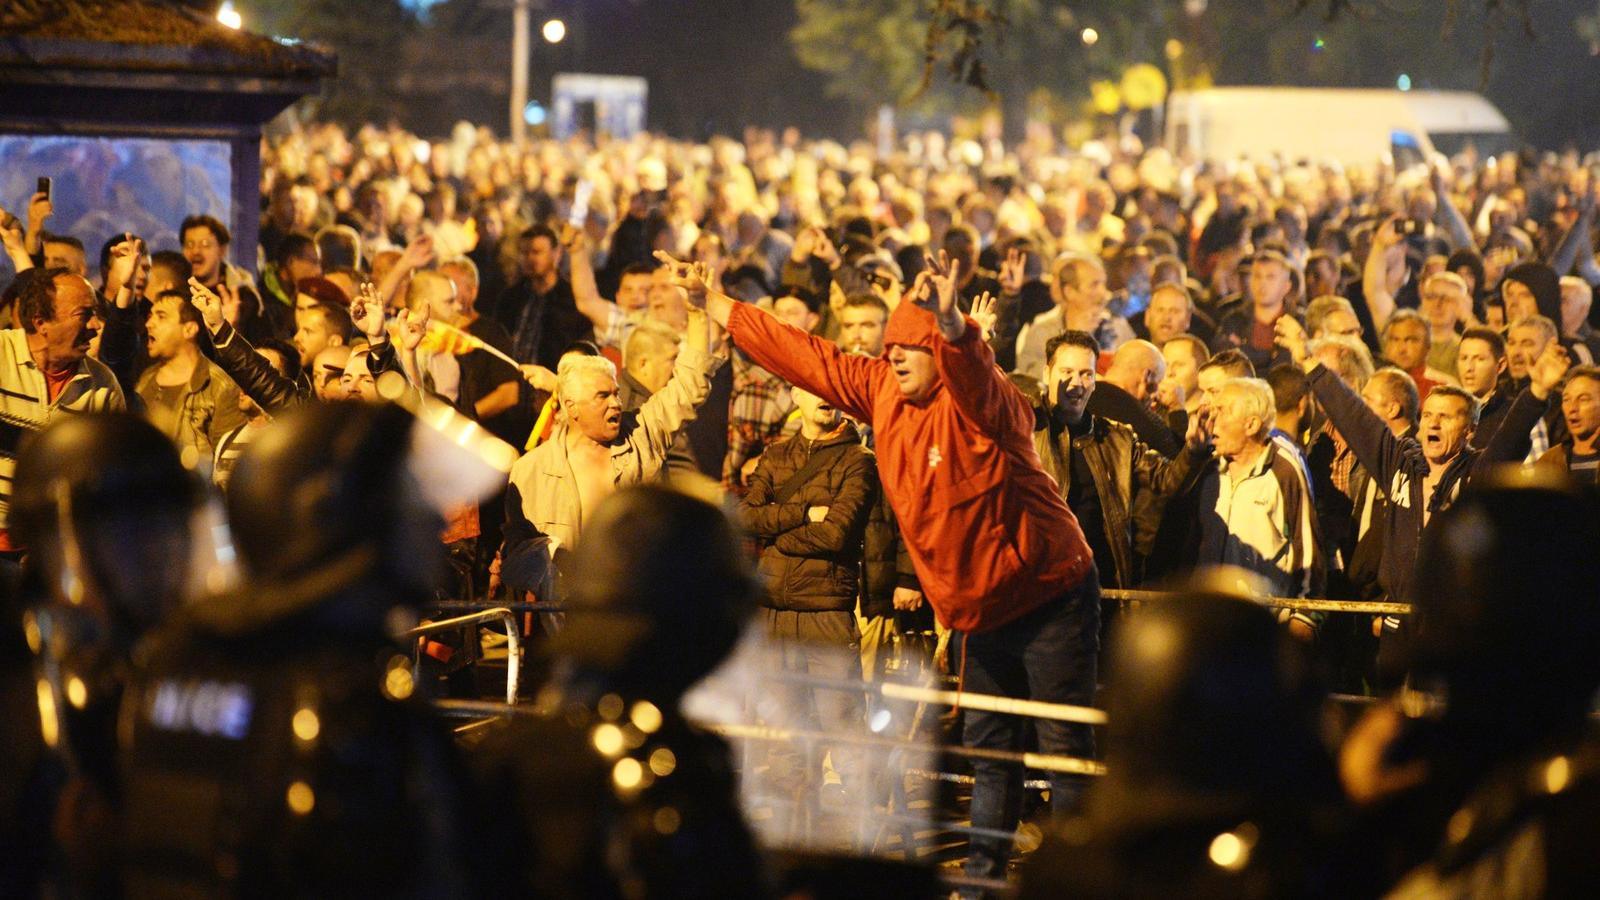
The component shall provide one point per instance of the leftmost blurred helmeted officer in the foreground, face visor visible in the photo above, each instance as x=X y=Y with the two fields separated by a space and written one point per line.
x=105 y=512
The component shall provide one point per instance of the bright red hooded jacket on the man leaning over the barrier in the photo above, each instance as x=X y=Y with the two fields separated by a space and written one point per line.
x=988 y=532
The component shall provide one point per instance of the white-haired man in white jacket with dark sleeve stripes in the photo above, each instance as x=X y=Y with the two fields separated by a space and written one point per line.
x=1257 y=508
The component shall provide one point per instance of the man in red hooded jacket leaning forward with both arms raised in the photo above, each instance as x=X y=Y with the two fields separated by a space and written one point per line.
x=999 y=555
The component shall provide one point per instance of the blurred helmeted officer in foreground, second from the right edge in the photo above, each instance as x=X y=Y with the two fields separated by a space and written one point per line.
x=1217 y=781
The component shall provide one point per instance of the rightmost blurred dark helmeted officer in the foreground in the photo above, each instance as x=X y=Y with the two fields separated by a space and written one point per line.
x=1486 y=774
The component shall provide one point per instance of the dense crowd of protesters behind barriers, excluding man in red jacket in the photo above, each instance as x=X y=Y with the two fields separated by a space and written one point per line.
x=1282 y=366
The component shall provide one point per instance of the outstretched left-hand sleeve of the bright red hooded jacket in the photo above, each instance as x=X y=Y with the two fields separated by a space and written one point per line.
x=810 y=363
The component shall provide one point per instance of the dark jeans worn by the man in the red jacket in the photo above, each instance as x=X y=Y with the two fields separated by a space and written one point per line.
x=1050 y=656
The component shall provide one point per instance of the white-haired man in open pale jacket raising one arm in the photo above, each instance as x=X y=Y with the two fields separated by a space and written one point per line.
x=596 y=449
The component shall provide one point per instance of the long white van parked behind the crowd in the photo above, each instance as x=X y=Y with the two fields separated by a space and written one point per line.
x=1351 y=126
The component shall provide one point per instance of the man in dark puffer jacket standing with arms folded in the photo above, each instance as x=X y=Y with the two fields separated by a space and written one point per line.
x=809 y=505
